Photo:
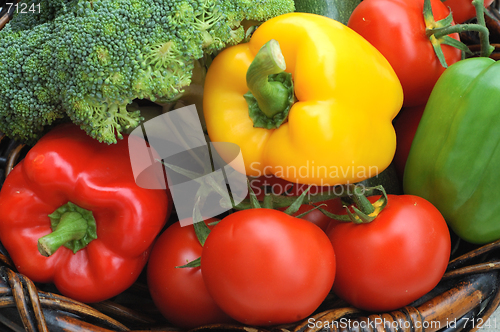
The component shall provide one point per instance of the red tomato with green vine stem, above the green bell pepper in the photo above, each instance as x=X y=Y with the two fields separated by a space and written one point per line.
x=397 y=29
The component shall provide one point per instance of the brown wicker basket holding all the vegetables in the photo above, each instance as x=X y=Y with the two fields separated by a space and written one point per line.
x=465 y=298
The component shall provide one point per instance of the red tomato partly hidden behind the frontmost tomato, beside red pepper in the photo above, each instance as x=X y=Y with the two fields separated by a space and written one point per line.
x=180 y=293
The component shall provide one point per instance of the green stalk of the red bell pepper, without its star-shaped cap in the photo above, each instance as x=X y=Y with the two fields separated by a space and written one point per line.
x=72 y=226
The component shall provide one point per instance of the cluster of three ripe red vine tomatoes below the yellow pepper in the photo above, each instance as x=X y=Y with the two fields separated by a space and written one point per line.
x=264 y=267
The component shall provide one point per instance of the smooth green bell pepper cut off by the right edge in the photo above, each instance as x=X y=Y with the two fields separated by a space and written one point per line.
x=454 y=160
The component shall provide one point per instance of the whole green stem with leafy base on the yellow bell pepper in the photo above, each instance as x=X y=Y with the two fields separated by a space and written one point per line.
x=271 y=88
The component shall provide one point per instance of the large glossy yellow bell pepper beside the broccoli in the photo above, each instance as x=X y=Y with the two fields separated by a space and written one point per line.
x=339 y=127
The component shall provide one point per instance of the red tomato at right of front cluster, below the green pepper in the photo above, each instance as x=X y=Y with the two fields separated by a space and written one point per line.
x=394 y=260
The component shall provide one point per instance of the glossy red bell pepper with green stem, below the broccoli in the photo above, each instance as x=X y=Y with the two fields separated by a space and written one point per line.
x=77 y=200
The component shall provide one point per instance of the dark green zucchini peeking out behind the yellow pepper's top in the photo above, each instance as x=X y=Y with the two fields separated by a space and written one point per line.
x=339 y=10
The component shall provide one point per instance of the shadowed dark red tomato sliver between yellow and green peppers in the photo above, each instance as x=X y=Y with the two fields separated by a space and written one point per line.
x=406 y=125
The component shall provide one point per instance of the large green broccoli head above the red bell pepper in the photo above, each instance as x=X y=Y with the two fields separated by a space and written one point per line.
x=85 y=61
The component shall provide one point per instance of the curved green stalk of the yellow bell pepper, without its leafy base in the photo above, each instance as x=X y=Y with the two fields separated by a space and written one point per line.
x=272 y=96
